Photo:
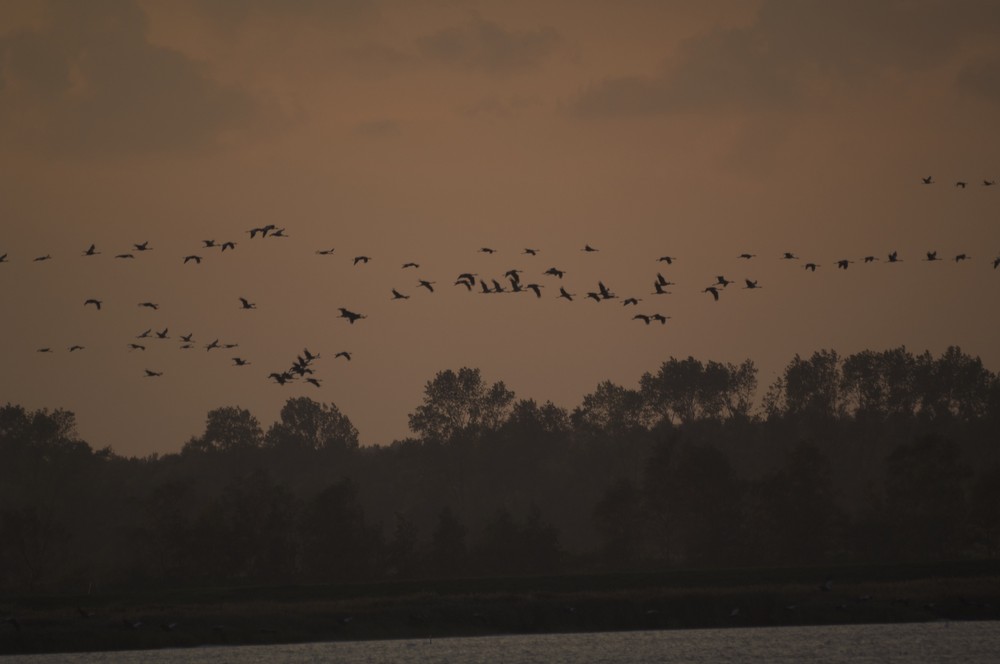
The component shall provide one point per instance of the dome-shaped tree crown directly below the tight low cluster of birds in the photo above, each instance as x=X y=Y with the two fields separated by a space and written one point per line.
x=306 y=424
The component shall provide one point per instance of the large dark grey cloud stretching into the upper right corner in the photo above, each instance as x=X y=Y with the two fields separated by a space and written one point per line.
x=793 y=49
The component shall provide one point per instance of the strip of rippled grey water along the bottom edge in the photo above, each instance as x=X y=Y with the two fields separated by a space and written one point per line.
x=970 y=642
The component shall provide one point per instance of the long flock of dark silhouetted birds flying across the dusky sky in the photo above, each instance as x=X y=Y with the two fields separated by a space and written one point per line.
x=514 y=281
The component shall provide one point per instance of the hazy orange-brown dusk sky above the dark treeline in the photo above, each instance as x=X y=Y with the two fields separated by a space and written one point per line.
x=425 y=131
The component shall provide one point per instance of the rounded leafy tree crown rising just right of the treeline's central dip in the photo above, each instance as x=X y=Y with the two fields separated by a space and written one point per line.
x=460 y=403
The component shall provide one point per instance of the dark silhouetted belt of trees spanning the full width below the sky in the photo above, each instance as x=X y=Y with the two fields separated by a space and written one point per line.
x=878 y=456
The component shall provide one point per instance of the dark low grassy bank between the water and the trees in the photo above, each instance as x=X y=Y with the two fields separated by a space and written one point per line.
x=655 y=600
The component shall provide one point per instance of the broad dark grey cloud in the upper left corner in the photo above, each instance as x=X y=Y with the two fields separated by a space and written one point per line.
x=90 y=83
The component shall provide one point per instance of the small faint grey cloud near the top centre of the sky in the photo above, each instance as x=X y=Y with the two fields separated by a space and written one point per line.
x=486 y=46
